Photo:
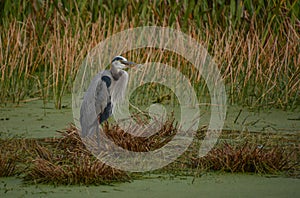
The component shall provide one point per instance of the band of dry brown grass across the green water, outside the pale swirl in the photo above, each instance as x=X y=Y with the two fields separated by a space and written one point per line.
x=65 y=160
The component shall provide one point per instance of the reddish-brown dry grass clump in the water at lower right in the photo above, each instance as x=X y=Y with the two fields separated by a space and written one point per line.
x=249 y=157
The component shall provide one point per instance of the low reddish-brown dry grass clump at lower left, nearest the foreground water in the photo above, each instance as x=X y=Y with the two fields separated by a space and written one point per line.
x=79 y=170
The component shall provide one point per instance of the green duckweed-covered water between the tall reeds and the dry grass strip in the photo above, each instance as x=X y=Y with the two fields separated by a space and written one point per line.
x=36 y=119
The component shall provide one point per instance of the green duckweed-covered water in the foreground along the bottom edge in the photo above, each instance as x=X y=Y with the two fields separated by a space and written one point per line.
x=210 y=185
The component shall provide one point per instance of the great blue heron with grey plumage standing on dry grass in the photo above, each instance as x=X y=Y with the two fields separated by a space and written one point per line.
x=105 y=91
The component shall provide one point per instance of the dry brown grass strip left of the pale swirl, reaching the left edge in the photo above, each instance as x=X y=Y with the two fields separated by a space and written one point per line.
x=56 y=160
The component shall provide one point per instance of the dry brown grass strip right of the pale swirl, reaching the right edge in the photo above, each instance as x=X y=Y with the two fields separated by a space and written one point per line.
x=236 y=152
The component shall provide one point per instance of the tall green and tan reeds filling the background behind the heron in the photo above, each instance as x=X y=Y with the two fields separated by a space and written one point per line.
x=256 y=44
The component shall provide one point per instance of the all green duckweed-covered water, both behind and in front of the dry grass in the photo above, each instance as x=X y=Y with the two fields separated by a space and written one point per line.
x=36 y=119
